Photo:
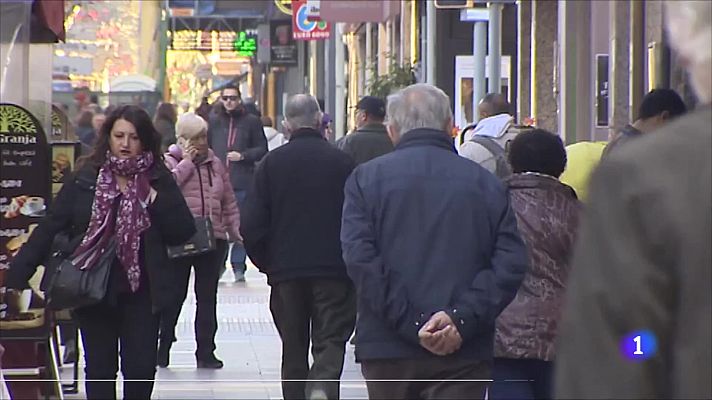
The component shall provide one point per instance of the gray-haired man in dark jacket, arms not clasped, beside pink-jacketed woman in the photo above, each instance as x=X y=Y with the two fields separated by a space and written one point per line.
x=291 y=224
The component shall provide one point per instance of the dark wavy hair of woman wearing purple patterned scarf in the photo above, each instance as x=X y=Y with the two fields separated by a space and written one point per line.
x=147 y=134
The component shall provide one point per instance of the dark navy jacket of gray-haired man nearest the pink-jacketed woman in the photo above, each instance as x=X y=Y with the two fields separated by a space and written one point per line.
x=292 y=217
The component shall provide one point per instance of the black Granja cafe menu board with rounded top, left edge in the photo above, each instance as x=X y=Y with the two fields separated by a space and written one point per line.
x=24 y=182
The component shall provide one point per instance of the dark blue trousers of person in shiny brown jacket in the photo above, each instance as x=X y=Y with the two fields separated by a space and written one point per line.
x=521 y=379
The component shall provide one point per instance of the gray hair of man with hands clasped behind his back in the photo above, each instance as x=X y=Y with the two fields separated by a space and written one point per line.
x=418 y=106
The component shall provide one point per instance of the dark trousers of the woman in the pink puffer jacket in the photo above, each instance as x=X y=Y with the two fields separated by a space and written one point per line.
x=207 y=270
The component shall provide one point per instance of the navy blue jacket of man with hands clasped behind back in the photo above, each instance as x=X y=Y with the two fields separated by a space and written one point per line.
x=425 y=230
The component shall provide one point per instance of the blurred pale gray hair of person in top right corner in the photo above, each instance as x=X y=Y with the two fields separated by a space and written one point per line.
x=690 y=26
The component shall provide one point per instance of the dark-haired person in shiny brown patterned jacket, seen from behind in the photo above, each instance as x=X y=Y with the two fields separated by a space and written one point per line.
x=547 y=213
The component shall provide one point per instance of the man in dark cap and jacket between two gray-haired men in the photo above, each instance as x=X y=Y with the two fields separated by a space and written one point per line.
x=371 y=138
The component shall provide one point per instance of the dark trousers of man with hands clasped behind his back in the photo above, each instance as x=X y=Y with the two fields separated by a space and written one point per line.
x=430 y=378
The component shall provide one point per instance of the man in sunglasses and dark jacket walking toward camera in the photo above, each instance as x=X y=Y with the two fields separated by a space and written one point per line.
x=238 y=139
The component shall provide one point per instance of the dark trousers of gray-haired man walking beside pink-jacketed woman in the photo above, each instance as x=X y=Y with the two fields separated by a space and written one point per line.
x=323 y=310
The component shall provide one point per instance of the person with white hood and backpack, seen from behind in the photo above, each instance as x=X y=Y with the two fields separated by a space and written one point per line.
x=486 y=142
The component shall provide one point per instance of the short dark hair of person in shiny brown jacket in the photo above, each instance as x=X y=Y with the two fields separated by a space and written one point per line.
x=537 y=151
